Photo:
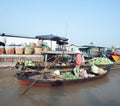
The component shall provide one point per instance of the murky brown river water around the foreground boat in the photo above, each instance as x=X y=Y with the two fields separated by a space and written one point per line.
x=102 y=92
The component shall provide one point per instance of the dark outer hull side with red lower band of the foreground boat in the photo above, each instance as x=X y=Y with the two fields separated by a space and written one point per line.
x=53 y=82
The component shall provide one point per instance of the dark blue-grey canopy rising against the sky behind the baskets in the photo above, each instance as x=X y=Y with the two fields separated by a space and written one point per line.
x=51 y=37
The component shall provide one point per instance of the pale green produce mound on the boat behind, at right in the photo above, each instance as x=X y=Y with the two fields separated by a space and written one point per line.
x=99 y=61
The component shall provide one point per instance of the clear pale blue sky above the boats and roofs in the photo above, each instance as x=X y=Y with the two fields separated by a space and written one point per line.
x=81 y=21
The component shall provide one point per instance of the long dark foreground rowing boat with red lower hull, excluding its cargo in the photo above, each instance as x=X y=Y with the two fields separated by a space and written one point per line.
x=34 y=78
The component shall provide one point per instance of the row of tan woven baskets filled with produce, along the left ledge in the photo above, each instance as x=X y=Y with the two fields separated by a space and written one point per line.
x=32 y=48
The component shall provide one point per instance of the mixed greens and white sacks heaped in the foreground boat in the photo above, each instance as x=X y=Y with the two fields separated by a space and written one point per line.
x=81 y=73
